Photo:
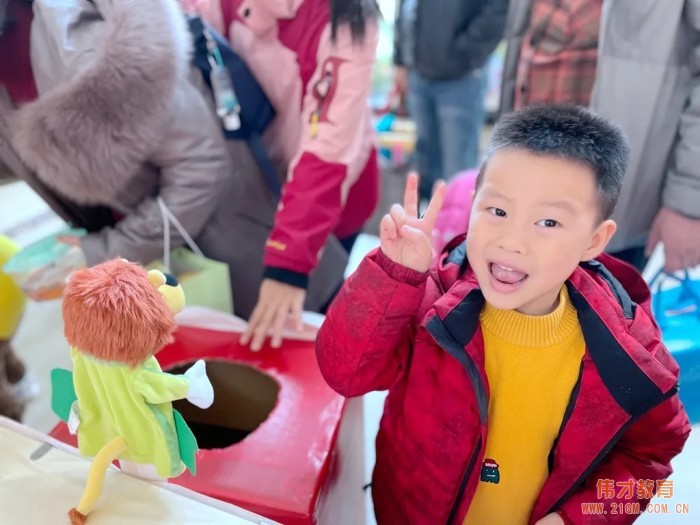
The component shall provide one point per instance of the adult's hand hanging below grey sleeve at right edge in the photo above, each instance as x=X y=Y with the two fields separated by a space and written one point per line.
x=680 y=236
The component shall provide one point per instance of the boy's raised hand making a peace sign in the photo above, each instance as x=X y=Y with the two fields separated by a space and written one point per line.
x=406 y=239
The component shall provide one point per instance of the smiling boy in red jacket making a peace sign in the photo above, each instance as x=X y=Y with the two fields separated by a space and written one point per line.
x=525 y=378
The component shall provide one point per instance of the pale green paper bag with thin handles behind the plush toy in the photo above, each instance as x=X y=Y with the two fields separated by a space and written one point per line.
x=206 y=282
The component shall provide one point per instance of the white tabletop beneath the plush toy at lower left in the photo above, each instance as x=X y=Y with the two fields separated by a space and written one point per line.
x=40 y=478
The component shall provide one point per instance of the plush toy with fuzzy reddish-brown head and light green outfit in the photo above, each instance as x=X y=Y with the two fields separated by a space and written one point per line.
x=117 y=317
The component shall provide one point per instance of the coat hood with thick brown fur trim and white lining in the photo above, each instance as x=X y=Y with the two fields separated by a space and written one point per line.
x=107 y=73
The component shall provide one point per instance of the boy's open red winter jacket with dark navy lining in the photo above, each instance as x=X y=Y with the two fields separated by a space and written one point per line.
x=419 y=337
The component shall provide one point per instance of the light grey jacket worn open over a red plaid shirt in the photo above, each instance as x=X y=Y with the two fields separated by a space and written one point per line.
x=648 y=81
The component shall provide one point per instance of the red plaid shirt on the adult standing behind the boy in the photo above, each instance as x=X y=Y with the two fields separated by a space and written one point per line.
x=559 y=53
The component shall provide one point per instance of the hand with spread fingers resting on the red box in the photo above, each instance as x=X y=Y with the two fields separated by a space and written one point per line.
x=275 y=303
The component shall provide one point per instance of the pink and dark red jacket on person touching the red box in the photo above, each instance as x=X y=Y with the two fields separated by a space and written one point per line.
x=332 y=177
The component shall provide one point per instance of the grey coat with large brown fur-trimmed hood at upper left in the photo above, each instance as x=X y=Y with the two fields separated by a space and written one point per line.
x=119 y=122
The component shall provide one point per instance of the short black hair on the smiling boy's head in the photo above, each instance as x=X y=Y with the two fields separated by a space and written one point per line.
x=570 y=132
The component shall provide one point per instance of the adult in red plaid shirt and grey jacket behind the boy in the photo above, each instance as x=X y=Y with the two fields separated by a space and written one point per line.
x=642 y=58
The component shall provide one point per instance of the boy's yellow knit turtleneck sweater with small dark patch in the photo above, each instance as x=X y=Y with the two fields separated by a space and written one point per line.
x=532 y=364
